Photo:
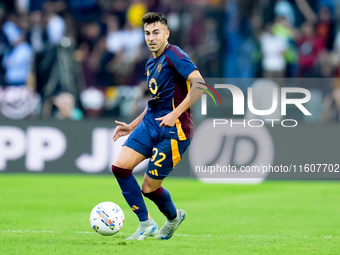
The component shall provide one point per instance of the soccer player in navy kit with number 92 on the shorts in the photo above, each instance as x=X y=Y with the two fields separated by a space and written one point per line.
x=162 y=132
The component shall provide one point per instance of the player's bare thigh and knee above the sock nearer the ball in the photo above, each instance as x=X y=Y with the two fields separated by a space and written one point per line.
x=128 y=158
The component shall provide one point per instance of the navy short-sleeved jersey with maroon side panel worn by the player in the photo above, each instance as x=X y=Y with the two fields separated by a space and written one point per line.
x=167 y=82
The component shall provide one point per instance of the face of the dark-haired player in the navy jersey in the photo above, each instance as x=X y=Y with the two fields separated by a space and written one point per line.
x=156 y=37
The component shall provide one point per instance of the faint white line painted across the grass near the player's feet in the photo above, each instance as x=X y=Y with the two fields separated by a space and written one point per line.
x=183 y=235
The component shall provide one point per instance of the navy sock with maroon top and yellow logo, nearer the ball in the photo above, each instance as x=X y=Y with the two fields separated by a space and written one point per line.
x=131 y=192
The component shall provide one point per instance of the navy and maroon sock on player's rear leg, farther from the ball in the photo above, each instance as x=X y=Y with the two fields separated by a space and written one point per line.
x=162 y=198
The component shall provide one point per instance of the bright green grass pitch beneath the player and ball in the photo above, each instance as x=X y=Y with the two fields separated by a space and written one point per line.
x=49 y=214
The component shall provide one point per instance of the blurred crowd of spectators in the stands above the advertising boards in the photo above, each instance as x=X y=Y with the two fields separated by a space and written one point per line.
x=74 y=59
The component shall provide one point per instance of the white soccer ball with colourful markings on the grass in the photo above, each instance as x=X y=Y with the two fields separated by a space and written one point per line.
x=107 y=218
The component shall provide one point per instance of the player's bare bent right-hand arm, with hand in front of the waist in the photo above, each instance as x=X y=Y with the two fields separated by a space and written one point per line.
x=195 y=93
